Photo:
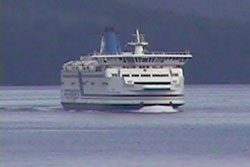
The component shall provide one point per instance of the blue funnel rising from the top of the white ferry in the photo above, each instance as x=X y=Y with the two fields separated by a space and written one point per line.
x=110 y=43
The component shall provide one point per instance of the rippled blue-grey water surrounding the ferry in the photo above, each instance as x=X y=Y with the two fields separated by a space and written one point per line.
x=212 y=130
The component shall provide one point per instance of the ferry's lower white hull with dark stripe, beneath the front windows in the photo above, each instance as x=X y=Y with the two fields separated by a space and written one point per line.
x=116 y=93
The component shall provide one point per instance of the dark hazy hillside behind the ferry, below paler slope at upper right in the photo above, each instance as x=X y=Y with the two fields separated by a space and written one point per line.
x=39 y=36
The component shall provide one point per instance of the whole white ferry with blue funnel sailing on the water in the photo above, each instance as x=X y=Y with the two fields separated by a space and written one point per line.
x=112 y=79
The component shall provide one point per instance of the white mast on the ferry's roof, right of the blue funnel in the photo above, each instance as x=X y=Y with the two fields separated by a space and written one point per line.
x=139 y=43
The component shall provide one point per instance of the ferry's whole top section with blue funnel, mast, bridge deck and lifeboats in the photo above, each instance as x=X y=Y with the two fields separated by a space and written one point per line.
x=111 y=55
